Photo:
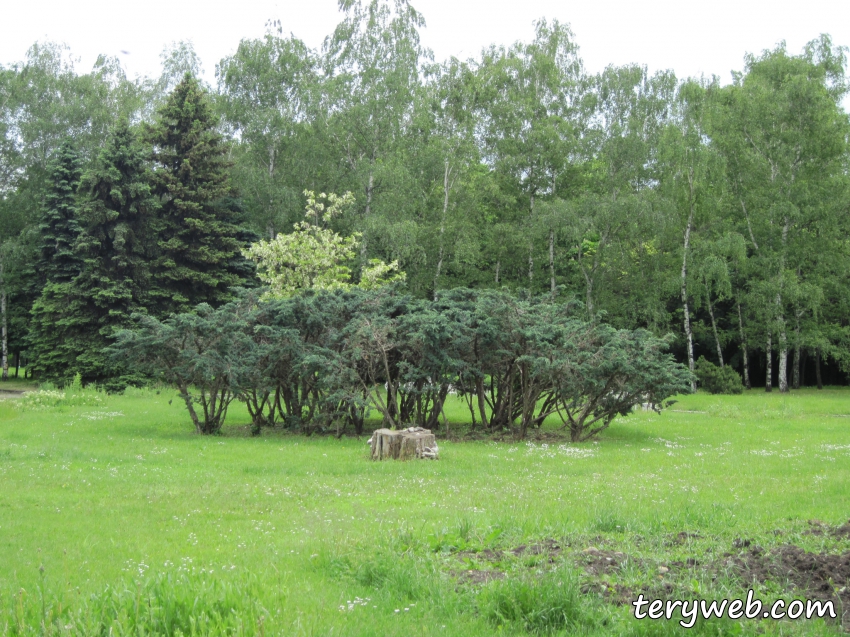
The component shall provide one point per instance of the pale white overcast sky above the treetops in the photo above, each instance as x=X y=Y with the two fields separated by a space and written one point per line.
x=692 y=38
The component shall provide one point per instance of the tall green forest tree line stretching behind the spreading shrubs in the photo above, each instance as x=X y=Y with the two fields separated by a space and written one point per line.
x=715 y=212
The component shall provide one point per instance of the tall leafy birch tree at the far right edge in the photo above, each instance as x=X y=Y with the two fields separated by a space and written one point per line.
x=782 y=126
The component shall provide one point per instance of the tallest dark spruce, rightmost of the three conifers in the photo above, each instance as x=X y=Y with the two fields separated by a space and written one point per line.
x=199 y=243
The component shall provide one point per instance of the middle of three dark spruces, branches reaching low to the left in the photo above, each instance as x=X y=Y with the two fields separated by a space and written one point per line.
x=114 y=248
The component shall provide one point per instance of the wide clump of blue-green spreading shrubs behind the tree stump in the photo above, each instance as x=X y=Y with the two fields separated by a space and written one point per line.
x=323 y=358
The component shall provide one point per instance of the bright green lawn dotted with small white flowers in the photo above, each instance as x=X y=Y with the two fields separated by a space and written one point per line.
x=114 y=514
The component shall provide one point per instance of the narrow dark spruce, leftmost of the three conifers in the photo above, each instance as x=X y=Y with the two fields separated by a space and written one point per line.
x=56 y=265
